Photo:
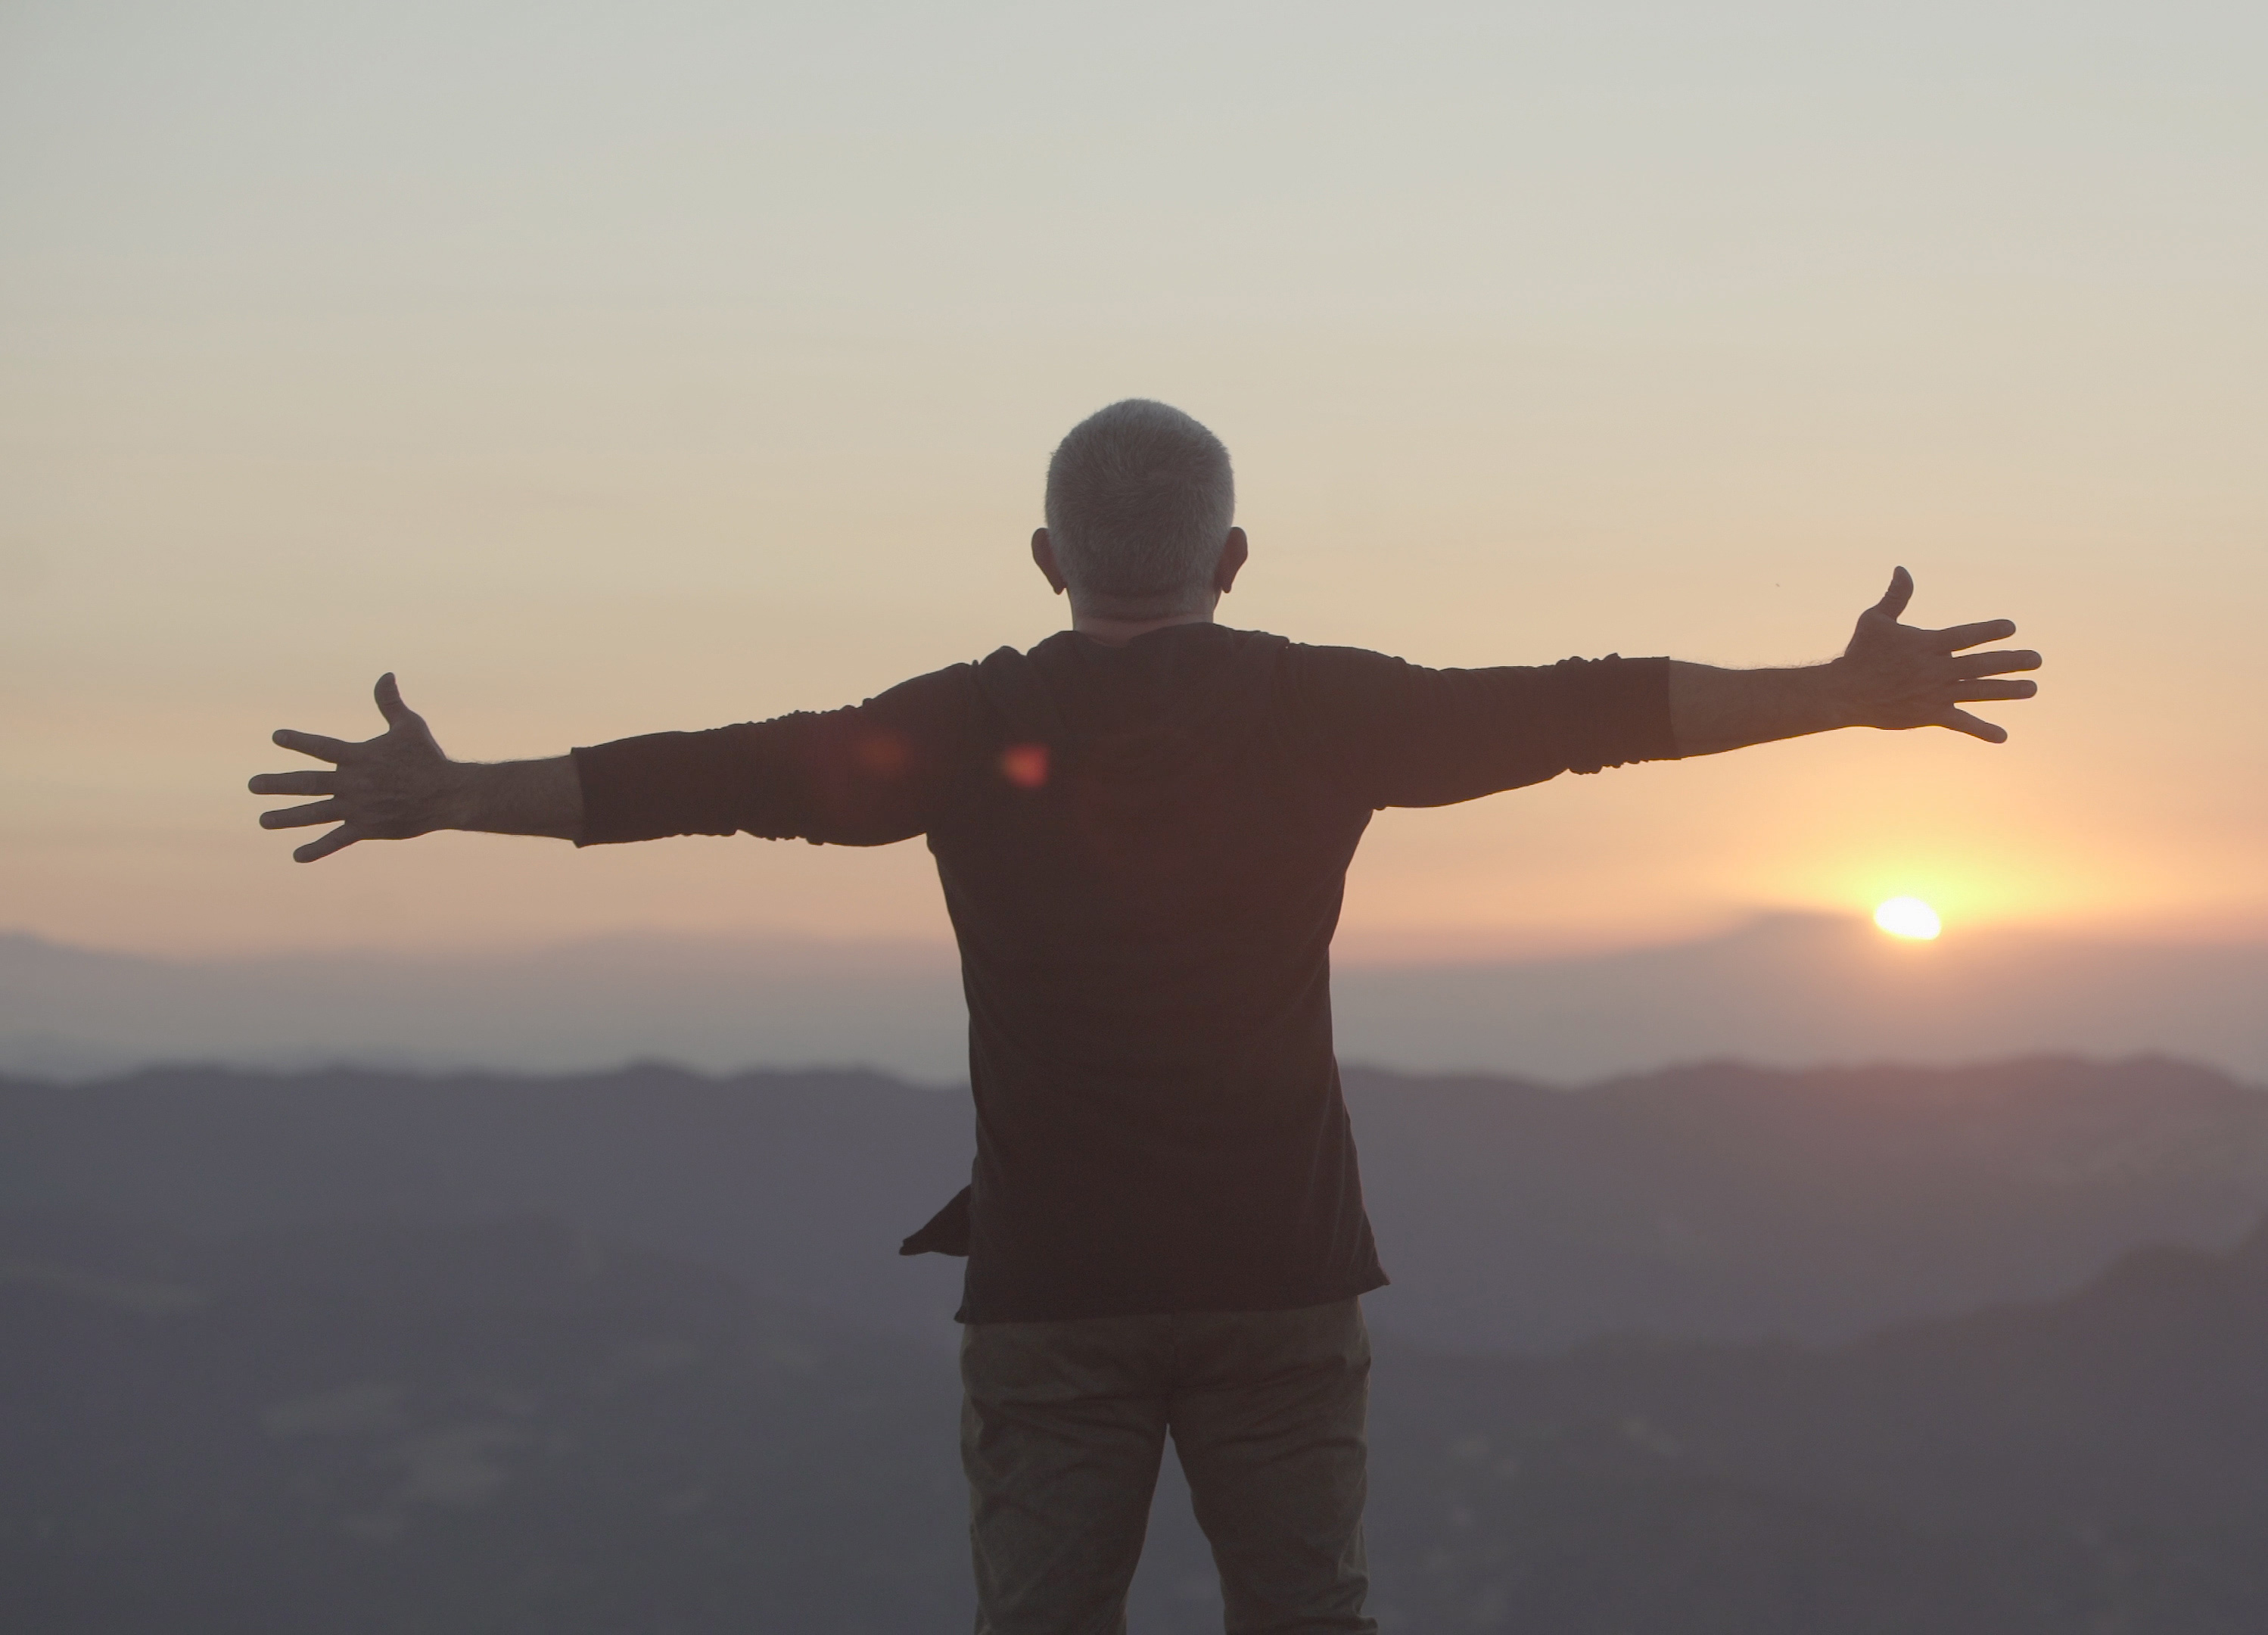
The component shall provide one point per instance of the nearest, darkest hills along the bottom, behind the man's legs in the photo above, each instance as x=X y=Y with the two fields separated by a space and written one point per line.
x=516 y=1428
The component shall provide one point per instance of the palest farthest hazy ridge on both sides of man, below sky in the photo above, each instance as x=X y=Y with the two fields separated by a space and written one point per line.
x=1786 y=990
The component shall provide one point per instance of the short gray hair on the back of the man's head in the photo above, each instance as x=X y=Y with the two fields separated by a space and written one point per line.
x=1140 y=505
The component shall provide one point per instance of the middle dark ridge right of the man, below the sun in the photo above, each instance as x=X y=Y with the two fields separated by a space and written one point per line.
x=1732 y=1203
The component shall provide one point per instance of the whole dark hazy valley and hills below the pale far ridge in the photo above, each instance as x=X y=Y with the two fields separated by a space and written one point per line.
x=1704 y=1350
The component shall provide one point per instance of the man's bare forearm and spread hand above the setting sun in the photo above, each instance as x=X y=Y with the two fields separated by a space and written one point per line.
x=1890 y=677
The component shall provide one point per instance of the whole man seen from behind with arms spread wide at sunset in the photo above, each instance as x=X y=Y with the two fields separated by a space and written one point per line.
x=1144 y=829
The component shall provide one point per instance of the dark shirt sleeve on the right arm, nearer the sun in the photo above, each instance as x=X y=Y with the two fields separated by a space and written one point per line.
x=1400 y=734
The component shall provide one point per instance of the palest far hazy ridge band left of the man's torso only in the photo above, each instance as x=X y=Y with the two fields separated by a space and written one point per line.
x=76 y=1013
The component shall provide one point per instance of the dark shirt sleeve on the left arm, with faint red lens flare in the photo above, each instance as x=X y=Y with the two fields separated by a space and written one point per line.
x=861 y=777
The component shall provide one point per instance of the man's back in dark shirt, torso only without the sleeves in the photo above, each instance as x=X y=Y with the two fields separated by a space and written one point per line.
x=1144 y=947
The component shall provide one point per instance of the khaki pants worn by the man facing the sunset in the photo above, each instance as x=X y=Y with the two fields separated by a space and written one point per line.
x=1063 y=1432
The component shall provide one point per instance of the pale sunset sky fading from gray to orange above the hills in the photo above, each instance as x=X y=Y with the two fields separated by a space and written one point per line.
x=627 y=368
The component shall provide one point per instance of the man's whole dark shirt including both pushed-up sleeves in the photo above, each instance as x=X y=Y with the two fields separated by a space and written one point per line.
x=1144 y=852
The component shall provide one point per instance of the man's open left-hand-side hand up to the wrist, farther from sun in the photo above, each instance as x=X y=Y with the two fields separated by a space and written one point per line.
x=393 y=786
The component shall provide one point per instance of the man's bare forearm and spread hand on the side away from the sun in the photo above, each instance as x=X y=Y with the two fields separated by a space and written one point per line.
x=400 y=783
